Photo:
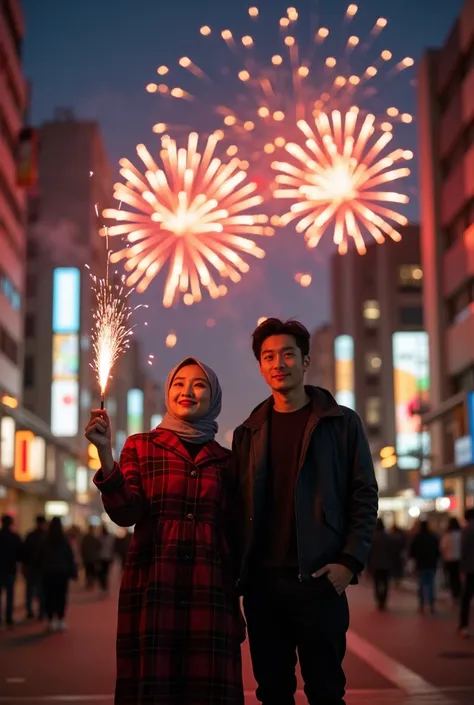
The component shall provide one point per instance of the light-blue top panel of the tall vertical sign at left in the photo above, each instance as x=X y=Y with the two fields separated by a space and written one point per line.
x=66 y=300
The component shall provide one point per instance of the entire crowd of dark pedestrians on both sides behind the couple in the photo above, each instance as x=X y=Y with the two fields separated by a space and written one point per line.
x=50 y=557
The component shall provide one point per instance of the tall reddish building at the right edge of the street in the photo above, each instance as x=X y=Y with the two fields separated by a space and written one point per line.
x=446 y=158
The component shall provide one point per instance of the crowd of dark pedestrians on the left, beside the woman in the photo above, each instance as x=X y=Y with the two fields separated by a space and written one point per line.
x=50 y=557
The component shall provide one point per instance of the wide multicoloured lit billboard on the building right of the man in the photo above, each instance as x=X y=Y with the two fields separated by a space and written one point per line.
x=411 y=389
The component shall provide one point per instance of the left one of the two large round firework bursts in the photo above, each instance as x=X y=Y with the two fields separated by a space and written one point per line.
x=193 y=211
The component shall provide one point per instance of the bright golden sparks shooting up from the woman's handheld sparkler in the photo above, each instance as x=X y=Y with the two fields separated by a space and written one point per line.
x=111 y=330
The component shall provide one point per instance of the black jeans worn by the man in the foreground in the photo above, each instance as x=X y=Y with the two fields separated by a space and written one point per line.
x=286 y=618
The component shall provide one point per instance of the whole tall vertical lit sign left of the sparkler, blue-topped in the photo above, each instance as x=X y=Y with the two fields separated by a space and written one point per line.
x=65 y=367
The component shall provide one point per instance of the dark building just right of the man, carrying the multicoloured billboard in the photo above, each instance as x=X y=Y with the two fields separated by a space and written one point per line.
x=381 y=356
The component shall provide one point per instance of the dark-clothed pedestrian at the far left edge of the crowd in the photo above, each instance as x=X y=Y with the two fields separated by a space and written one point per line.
x=11 y=554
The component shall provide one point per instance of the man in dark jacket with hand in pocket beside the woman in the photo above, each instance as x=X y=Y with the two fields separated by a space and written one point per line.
x=309 y=498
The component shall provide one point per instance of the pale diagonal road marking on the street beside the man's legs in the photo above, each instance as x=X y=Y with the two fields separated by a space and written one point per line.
x=395 y=672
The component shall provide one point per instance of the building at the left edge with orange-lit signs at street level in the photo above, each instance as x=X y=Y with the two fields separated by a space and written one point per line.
x=37 y=471
